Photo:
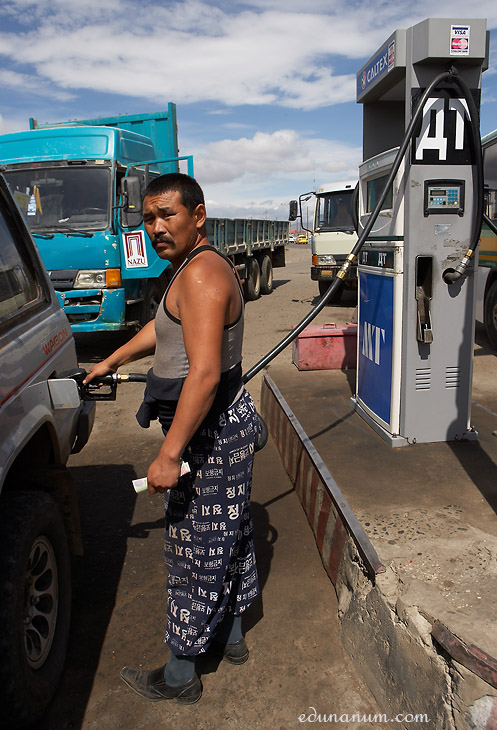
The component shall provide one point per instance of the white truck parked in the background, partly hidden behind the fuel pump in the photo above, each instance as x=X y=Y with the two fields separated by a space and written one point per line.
x=333 y=235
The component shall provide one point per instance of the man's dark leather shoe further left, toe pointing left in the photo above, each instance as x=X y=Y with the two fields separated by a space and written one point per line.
x=152 y=685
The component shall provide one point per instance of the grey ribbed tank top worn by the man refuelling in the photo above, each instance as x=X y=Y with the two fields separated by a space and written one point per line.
x=170 y=359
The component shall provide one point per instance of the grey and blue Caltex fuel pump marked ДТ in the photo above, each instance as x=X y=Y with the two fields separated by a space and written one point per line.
x=420 y=196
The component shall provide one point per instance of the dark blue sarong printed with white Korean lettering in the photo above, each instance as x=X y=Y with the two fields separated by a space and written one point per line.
x=208 y=547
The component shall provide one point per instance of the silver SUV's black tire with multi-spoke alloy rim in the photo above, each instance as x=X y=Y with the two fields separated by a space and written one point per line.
x=35 y=604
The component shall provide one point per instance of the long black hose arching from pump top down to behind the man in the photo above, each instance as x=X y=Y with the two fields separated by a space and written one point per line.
x=446 y=75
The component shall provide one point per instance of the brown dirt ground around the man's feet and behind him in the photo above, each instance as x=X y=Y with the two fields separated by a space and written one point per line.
x=297 y=663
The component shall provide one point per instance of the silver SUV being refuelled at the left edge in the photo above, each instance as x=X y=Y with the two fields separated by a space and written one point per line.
x=42 y=421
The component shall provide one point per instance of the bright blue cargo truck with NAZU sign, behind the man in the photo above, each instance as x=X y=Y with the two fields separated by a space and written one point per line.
x=79 y=185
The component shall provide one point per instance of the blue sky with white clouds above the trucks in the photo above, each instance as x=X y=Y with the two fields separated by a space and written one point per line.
x=265 y=89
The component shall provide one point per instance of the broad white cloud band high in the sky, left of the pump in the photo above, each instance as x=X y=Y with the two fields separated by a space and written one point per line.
x=250 y=63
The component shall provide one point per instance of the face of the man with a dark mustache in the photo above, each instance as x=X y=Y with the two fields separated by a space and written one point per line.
x=172 y=230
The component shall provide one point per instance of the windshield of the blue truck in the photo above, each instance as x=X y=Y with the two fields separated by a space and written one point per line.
x=62 y=198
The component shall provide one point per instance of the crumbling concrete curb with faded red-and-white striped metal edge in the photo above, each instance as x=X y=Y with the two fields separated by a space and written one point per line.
x=413 y=666
